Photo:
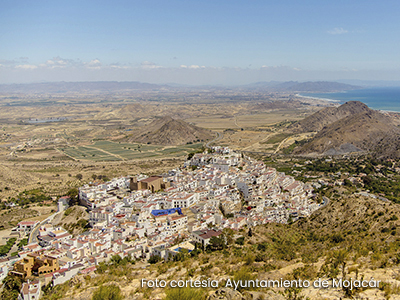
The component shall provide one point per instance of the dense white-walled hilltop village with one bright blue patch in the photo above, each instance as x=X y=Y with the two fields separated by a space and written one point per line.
x=143 y=217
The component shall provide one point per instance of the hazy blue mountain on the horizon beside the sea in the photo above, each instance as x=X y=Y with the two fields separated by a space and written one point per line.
x=305 y=87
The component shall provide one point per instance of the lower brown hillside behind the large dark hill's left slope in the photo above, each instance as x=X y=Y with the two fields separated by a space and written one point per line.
x=327 y=116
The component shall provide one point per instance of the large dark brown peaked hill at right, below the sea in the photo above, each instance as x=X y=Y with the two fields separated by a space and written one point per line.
x=363 y=129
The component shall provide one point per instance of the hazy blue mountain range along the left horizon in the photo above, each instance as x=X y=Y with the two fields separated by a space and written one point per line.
x=77 y=87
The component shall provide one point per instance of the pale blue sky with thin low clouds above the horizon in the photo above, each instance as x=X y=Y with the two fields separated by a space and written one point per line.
x=224 y=42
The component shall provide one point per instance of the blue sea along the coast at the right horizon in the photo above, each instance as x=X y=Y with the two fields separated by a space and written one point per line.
x=385 y=98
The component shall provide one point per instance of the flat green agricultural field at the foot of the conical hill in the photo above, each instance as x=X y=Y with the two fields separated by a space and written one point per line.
x=114 y=151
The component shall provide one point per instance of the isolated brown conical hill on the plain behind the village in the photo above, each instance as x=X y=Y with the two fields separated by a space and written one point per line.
x=168 y=131
